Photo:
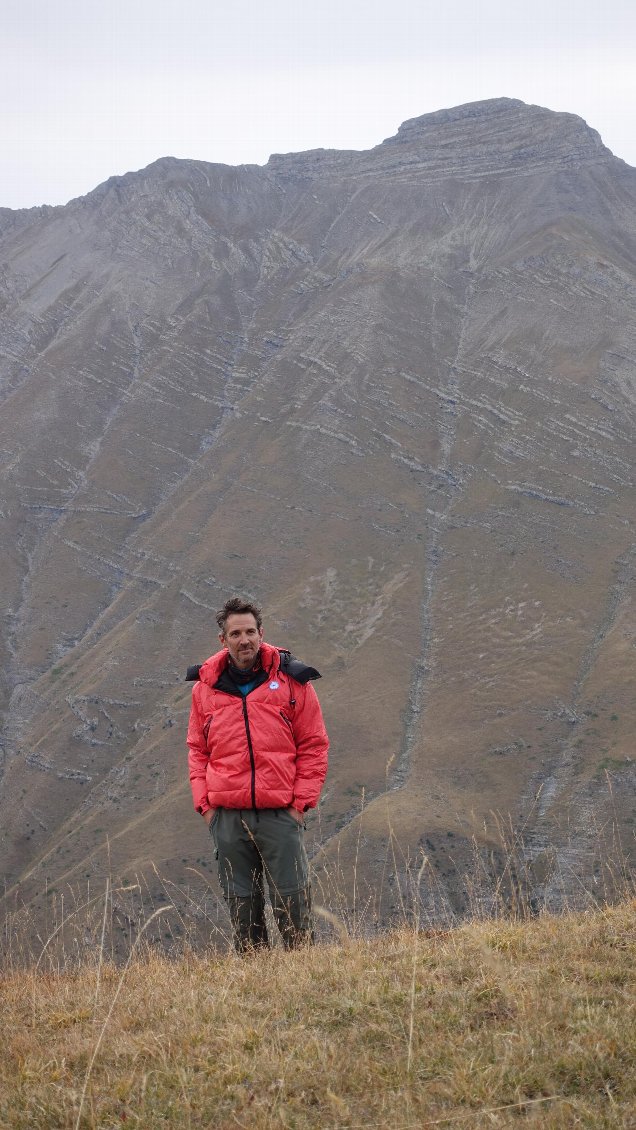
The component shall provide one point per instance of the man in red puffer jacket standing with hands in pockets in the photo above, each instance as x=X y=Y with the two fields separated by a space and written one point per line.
x=258 y=762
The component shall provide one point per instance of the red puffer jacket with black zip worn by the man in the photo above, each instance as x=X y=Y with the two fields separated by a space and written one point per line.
x=267 y=750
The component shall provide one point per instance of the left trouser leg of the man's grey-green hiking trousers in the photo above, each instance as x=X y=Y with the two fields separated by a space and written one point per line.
x=241 y=876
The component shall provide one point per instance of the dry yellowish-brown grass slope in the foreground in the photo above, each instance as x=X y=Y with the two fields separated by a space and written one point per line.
x=491 y=1024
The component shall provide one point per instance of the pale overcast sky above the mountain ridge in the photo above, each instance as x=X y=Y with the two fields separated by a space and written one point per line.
x=89 y=91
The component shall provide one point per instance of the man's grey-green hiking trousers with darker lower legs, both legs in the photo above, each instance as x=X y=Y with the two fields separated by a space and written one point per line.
x=254 y=847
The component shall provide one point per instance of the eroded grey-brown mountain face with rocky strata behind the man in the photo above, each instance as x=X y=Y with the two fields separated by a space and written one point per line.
x=390 y=395
